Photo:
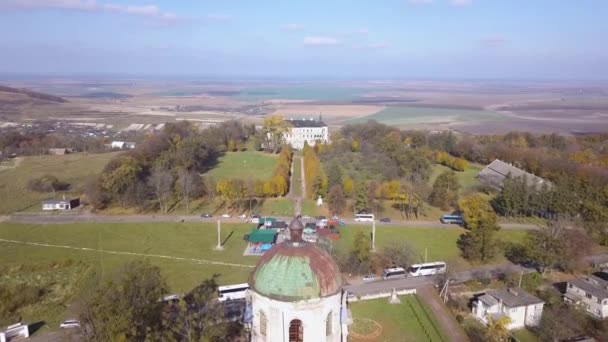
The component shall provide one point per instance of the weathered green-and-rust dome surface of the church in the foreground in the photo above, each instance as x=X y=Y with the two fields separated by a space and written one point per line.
x=293 y=272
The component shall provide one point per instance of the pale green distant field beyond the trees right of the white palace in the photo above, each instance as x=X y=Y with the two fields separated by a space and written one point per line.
x=403 y=116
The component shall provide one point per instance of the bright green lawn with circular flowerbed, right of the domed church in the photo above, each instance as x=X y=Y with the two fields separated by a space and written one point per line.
x=408 y=321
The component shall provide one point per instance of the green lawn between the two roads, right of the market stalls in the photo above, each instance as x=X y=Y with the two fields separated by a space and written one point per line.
x=440 y=243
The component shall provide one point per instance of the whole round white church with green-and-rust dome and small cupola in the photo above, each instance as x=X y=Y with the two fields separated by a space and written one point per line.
x=296 y=294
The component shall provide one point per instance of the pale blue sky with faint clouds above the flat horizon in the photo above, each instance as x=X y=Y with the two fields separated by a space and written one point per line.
x=362 y=39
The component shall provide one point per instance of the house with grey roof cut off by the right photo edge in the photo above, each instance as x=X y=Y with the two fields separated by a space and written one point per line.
x=591 y=293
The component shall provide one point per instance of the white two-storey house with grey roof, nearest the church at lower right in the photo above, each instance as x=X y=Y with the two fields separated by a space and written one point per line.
x=524 y=309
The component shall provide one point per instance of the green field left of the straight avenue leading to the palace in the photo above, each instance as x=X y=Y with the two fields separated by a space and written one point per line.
x=248 y=164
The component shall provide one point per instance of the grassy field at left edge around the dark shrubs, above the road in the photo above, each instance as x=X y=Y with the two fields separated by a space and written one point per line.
x=75 y=169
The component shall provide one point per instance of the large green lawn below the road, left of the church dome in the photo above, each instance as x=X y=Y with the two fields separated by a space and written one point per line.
x=184 y=240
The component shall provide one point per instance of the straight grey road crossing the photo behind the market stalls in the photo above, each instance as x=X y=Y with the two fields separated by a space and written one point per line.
x=63 y=218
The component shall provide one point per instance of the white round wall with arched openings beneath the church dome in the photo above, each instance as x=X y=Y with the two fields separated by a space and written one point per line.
x=313 y=314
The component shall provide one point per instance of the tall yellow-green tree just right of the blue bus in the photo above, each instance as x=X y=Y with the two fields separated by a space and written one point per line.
x=478 y=243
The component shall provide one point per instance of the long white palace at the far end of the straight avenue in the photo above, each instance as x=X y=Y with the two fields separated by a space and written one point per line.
x=306 y=130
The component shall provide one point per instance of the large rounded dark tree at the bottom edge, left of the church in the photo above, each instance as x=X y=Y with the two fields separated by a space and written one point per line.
x=128 y=307
